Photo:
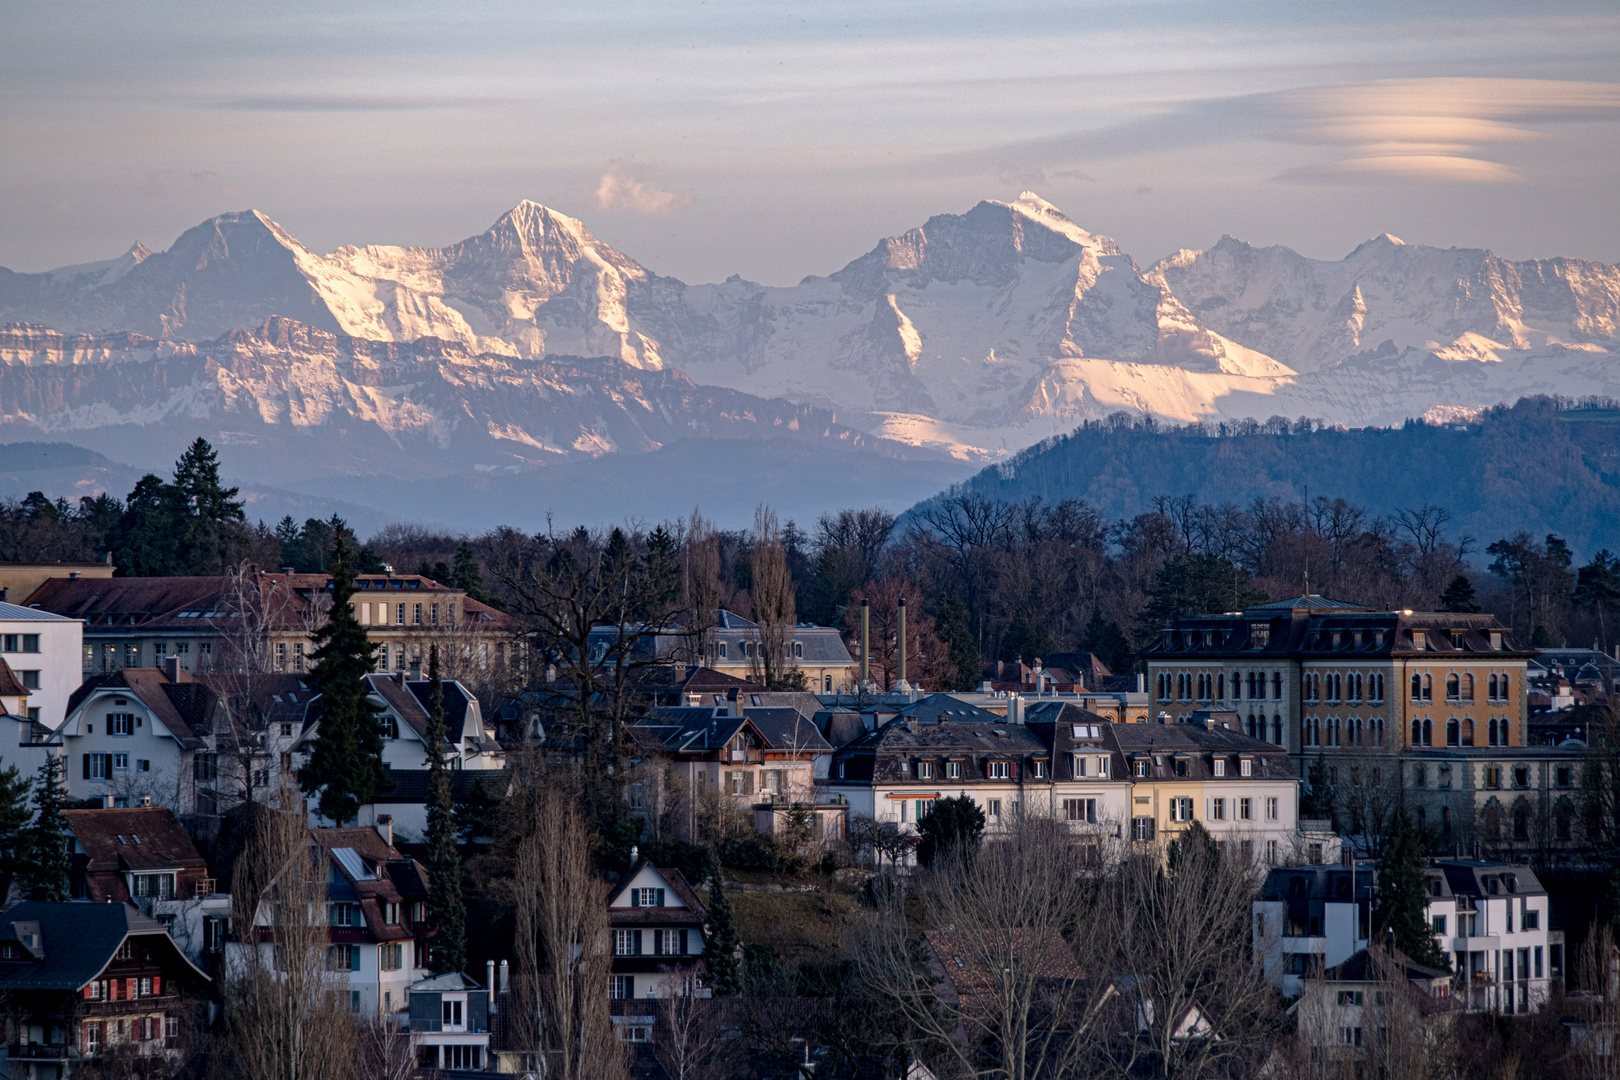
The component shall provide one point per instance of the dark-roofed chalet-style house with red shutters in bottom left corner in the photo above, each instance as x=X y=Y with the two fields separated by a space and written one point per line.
x=85 y=982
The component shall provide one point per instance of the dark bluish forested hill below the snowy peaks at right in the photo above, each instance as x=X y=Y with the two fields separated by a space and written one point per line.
x=1540 y=466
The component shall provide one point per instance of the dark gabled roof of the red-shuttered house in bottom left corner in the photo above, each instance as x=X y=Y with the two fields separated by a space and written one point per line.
x=77 y=943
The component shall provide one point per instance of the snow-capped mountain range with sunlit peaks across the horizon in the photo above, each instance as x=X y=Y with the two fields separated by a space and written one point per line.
x=974 y=334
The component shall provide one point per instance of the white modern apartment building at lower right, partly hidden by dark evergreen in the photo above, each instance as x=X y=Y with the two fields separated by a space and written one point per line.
x=1490 y=919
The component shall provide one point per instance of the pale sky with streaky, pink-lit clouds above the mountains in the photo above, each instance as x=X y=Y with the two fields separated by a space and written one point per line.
x=780 y=140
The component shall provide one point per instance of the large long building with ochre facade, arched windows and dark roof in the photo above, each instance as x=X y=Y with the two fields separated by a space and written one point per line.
x=1321 y=676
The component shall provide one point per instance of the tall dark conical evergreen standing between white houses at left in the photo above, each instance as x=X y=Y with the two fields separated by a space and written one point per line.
x=346 y=763
